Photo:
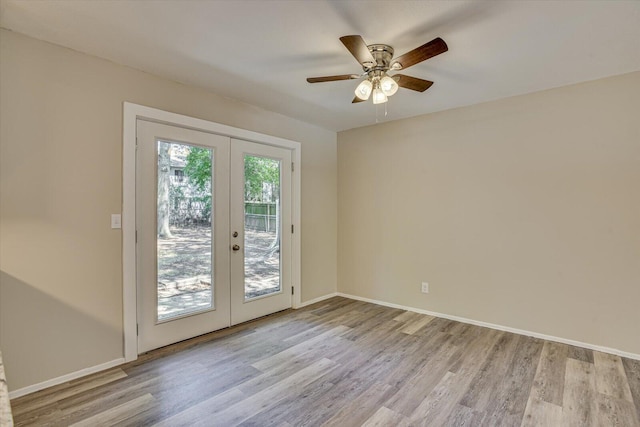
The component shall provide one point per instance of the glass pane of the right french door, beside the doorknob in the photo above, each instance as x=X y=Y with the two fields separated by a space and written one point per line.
x=261 y=226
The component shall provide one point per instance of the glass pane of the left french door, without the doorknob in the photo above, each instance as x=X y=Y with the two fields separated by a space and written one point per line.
x=184 y=230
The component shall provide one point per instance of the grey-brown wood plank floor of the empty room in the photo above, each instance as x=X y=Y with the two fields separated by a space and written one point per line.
x=349 y=363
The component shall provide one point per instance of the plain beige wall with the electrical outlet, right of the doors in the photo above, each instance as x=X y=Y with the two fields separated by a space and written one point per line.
x=523 y=212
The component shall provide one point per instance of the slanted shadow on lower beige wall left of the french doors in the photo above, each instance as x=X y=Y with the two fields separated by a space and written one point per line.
x=42 y=338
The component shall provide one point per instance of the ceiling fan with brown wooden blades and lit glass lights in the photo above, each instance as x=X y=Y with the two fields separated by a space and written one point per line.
x=377 y=61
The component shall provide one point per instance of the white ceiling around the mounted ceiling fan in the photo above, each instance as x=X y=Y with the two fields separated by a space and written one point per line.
x=261 y=52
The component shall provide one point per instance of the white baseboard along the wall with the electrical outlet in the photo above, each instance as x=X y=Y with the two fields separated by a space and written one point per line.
x=498 y=327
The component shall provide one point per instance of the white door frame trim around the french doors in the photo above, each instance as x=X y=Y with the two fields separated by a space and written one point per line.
x=133 y=112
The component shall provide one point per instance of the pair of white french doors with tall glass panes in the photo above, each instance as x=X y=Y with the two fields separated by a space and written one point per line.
x=212 y=243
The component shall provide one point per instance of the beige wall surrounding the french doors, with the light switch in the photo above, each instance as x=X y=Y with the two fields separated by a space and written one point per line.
x=61 y=178
